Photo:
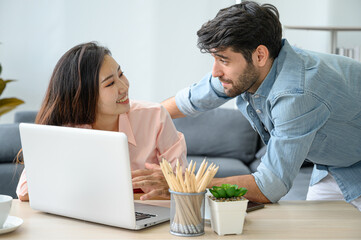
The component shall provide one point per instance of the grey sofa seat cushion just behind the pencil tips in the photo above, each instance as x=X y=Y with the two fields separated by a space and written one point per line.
x=227 y=166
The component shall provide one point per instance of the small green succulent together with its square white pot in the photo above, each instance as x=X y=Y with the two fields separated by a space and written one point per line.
x=228 y=209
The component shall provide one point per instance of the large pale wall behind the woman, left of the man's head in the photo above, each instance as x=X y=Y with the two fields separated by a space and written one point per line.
x=153 y=40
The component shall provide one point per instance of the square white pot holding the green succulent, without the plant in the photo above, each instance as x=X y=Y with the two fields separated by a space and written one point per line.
x=228 y=217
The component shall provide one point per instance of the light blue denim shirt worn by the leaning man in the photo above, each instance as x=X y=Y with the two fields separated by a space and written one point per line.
x=308 y=107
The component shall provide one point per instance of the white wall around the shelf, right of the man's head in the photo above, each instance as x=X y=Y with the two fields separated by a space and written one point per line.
x=345 y=13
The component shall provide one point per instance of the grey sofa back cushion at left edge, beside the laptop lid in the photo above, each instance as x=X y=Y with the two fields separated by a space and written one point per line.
x=10 y=144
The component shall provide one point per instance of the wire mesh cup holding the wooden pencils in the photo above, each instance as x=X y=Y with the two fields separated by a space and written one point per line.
x=187 y=213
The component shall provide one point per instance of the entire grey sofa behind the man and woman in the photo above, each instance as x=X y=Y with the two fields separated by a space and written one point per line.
x=224 y=136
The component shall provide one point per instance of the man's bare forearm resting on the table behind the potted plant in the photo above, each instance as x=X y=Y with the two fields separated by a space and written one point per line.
x=246 y=181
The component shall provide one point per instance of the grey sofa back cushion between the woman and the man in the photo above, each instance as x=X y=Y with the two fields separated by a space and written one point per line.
x=220 y=132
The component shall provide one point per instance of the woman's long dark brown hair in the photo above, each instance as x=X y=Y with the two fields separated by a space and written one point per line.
x=73 y=91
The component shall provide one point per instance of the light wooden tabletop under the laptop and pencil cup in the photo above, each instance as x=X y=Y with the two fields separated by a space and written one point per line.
x=284 y=220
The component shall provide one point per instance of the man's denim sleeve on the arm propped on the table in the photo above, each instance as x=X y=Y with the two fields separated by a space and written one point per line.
x=296 y=118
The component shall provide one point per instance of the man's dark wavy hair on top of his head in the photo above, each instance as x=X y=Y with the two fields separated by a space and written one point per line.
x=243 y=27
